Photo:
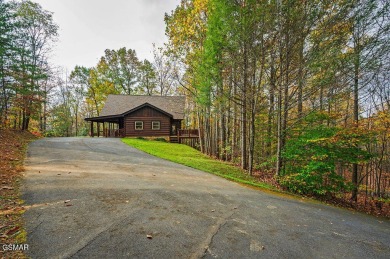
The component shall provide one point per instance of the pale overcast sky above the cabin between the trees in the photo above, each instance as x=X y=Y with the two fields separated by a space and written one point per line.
x=88 y=27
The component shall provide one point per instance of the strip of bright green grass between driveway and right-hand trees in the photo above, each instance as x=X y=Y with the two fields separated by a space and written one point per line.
x=185 y=155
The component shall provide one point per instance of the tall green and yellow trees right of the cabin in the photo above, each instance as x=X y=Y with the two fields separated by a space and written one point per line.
x=294 y=88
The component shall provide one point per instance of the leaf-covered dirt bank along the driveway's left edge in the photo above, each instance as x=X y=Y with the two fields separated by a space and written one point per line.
x=13 y=146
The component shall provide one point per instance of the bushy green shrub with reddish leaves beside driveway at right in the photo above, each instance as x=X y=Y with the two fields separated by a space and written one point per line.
x=312 y=153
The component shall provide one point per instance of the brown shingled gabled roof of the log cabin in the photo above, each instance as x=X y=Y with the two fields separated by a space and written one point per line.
x=121 y=104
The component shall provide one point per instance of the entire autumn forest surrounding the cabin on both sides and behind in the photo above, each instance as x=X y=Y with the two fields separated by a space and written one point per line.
x=291 y=90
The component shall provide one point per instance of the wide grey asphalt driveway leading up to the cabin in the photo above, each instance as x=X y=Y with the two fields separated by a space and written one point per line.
x=119 y=195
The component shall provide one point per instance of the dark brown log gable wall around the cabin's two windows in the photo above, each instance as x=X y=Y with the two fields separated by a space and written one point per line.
x=147 y=115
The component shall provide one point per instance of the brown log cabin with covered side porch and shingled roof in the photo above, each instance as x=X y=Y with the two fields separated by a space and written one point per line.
x=141 y=116
